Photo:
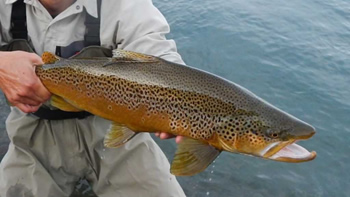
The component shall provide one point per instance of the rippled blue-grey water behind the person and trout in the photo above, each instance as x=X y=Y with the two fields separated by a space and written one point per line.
x=294 y=54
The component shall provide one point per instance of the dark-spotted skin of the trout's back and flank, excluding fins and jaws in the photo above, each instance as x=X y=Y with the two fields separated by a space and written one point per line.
x=198 y=104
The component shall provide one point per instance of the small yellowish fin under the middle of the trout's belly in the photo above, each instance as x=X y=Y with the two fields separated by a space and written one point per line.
x=118 y=135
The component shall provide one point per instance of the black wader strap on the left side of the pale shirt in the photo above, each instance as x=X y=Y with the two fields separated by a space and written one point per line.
x=19 y=21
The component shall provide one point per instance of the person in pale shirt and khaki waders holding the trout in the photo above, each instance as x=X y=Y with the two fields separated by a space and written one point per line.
x=48 y=153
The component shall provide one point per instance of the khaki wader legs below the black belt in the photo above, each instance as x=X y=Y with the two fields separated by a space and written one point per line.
x=47 y=158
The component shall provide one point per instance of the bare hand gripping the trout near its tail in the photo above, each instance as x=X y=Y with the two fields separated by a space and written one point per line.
x=19 y=82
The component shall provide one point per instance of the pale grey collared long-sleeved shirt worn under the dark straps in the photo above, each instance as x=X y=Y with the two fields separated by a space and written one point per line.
x=135 y=25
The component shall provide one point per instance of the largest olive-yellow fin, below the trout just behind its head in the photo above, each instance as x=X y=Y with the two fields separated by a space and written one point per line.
x=192 y=157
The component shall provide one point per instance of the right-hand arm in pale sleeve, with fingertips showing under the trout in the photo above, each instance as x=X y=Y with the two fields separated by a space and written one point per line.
x=142 y=28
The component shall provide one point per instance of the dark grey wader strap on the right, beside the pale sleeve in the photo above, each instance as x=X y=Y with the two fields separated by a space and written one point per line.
x=92 y=24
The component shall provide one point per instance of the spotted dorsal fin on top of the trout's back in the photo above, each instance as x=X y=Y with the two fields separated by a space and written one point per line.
x=121 y=55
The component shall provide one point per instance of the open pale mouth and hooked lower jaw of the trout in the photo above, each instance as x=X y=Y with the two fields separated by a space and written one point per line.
x=288 y=151
